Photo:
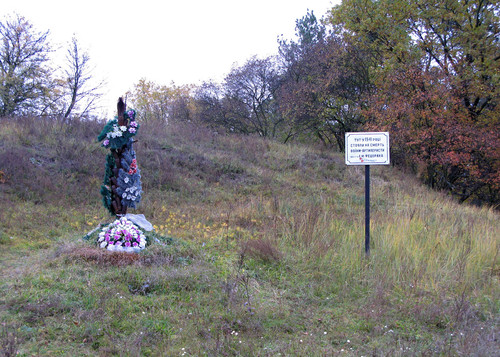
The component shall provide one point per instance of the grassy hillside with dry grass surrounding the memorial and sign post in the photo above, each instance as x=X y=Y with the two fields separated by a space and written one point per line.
x=260 y=252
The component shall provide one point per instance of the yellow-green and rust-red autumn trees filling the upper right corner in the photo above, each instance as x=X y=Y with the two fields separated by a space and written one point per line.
x=434 y=68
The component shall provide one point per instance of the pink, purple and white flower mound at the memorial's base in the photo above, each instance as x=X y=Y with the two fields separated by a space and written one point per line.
x=122 y=235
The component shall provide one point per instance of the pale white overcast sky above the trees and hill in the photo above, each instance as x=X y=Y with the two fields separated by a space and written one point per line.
x=184 y=41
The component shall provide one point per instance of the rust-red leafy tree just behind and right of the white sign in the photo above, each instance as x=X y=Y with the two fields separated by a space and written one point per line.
x=433 y=133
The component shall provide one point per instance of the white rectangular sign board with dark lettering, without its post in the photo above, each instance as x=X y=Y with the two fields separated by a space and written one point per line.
x=367 y=148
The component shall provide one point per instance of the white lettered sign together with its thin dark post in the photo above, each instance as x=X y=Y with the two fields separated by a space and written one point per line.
x=367 y=149
